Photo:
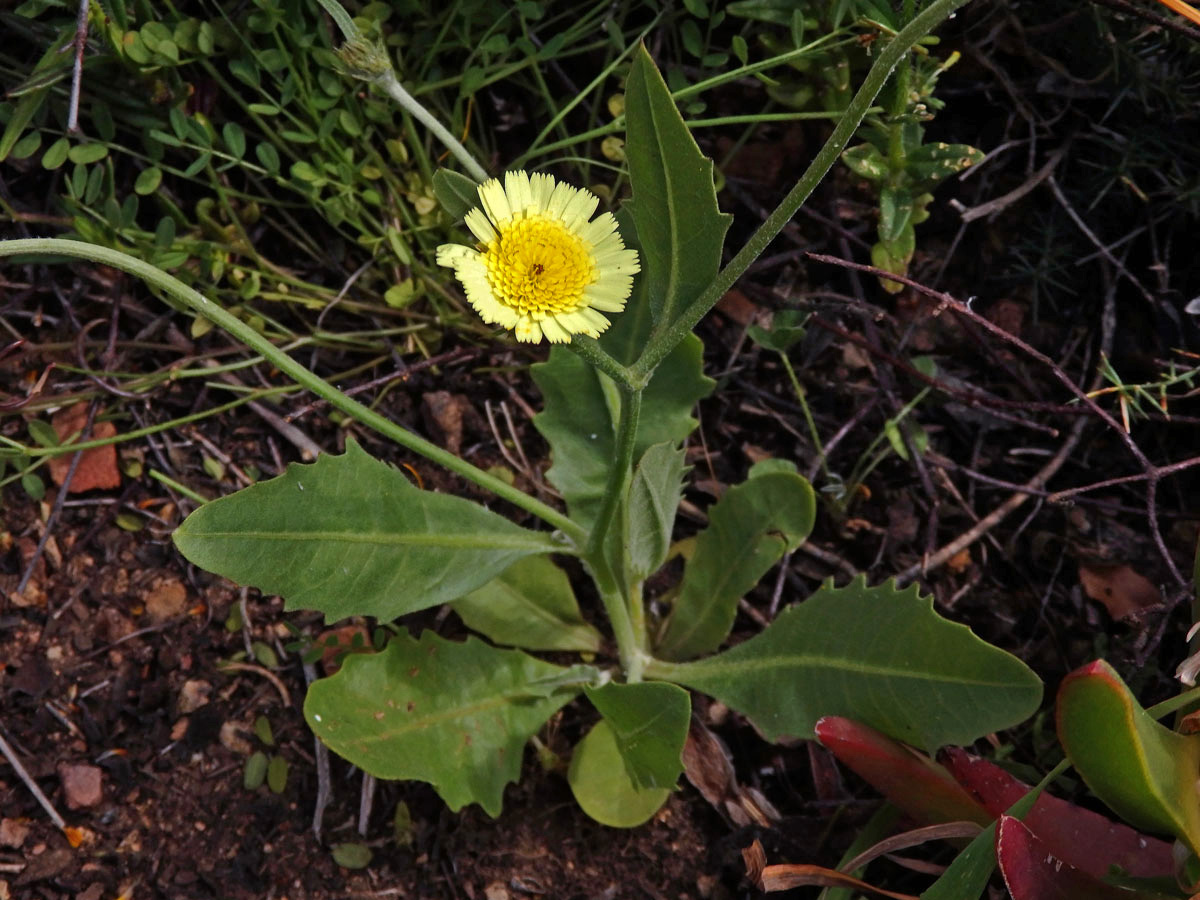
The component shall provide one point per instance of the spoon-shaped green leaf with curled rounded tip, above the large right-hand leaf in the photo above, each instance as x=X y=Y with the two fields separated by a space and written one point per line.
x=748 y=532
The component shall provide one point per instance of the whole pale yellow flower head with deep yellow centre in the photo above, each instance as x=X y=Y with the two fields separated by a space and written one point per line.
x=541 y=267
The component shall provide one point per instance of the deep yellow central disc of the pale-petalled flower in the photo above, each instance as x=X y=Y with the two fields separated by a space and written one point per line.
x=539 y=267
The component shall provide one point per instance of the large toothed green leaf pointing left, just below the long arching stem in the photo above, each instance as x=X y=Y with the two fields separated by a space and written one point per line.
x=350 y=536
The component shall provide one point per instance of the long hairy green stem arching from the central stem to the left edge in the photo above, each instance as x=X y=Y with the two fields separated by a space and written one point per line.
x=244 y=333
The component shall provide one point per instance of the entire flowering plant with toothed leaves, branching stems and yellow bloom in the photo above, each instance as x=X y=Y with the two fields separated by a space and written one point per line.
x=351 y=536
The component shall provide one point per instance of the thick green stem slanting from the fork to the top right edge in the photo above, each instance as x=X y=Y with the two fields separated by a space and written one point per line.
x=896 y=51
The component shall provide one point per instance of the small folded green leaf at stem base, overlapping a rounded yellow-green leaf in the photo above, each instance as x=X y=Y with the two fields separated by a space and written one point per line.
x=650 y=725
